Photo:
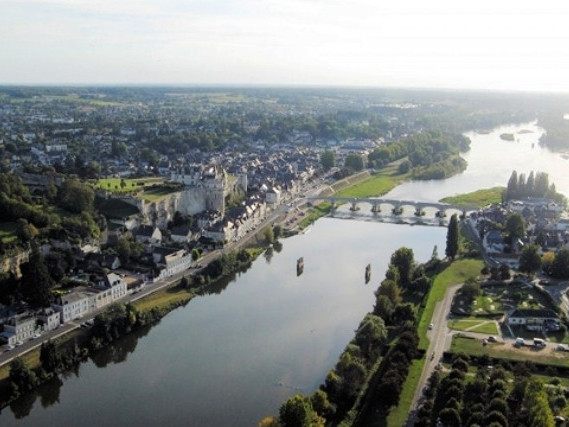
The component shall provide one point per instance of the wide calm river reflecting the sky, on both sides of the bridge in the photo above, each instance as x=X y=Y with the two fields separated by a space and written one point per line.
x=230 y=358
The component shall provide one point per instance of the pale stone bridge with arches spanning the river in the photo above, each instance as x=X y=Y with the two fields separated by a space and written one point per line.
x=396 y=205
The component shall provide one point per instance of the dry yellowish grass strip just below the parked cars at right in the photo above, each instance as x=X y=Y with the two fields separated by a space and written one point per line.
x=502 y=350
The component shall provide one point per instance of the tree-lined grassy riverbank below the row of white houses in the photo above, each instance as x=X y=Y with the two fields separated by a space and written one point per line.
x=118 y=321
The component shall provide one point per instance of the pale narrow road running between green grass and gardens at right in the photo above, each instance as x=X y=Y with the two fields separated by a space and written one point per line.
x=440 y=339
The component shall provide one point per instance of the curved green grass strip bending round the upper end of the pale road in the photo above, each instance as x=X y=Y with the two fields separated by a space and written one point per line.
x=455 y=273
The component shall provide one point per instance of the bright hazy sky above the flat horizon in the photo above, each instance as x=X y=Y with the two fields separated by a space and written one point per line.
x=494 y=45
